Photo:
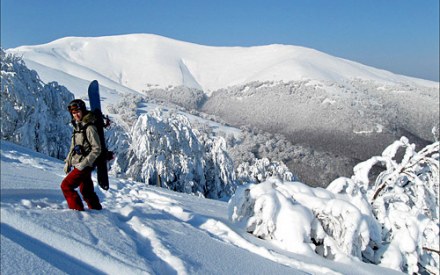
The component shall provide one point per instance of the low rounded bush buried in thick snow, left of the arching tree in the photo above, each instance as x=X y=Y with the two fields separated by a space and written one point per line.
x=301 y=219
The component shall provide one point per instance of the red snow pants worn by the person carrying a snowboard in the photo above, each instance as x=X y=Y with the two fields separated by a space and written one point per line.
x=83 y=180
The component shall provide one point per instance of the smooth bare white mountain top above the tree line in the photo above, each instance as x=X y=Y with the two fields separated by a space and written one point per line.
x=141 y=61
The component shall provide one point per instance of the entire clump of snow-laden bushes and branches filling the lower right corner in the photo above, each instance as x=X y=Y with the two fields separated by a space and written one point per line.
x=393 y=221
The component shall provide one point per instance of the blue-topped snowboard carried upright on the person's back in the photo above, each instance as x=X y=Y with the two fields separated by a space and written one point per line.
x=101 y=162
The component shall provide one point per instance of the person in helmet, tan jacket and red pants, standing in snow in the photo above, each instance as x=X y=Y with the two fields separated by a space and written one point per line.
x=84 y=150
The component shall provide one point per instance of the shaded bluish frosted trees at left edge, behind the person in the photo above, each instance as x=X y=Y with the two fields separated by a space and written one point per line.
x=33 y=114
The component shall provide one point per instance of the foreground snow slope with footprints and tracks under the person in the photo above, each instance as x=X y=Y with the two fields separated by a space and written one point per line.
x=141 y=230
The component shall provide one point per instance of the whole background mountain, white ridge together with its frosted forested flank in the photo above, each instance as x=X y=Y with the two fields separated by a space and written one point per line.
x=331 y=105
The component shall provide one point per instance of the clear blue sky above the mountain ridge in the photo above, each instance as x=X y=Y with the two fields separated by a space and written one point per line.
x=401 y=36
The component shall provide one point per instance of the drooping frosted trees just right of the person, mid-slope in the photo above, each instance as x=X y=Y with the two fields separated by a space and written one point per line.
x=166 y=151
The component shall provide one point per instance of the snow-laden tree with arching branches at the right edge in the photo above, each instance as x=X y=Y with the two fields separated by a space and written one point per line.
x=404 y=199
